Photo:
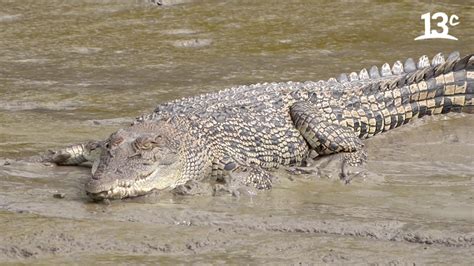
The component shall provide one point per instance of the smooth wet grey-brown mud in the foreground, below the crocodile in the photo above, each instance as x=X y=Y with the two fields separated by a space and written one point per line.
x=400 y=218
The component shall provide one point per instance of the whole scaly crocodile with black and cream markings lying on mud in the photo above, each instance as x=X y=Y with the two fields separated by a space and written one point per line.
x=245 y=132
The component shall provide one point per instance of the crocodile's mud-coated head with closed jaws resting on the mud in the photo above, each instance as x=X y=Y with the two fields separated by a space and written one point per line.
x=135 y=161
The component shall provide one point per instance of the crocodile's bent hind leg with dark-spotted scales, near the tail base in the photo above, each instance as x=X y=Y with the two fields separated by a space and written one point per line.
x=327 y=136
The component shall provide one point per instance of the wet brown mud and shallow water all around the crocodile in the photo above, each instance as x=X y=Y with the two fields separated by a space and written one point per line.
x=78 y=70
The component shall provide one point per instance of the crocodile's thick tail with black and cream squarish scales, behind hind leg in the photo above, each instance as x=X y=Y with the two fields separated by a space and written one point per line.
x=441 y=86
